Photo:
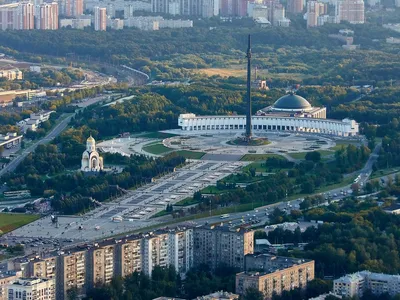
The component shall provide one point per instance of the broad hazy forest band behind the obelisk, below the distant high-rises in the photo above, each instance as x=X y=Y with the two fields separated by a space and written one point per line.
x=173 y=54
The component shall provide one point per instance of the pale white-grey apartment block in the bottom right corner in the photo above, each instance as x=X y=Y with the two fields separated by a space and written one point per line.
x=354 y=285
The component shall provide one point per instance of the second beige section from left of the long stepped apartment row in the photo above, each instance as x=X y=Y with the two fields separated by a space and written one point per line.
x=71 y=272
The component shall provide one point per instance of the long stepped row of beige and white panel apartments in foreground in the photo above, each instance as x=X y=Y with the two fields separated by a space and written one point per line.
x=86 y=265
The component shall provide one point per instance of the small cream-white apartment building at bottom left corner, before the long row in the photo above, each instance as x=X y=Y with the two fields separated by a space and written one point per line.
x=32 y=288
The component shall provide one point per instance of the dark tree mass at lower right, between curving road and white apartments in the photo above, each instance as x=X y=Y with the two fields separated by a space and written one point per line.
x=354 y=237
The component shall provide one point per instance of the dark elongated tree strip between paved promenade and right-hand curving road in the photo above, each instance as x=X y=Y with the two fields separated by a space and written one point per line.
x=303 y=178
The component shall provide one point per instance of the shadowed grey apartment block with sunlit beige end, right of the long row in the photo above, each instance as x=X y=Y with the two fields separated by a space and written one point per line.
x=215 y=245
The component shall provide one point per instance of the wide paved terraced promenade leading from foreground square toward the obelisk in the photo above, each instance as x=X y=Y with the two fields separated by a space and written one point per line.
x=133 y=210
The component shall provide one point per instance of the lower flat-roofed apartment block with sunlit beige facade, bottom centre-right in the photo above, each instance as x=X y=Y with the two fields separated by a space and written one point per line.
x=273 y=274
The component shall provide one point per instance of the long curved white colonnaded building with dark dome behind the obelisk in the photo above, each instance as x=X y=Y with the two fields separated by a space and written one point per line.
x=290 y=113
